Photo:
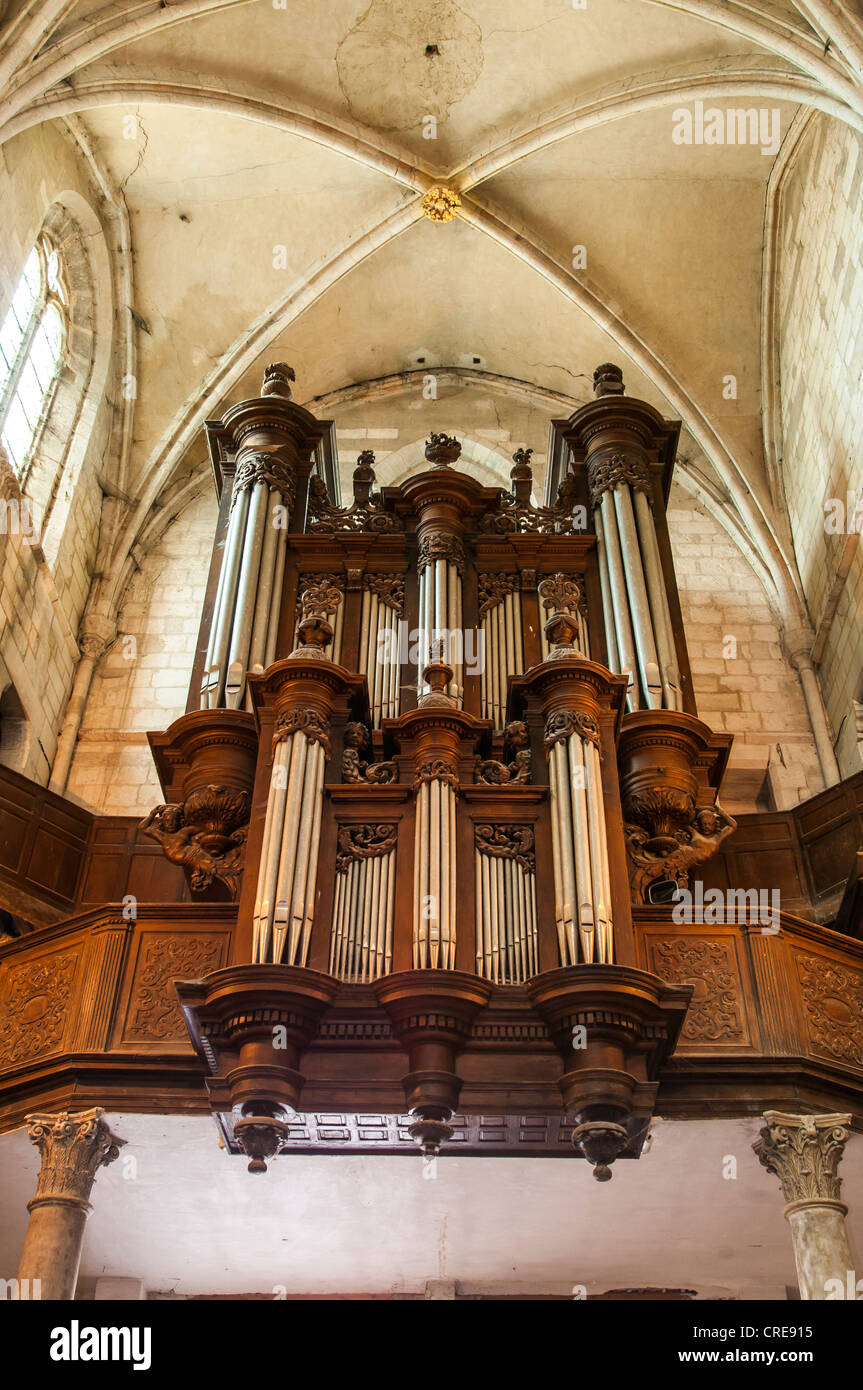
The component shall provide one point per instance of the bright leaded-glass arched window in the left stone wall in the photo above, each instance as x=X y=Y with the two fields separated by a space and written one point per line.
x=33 y=343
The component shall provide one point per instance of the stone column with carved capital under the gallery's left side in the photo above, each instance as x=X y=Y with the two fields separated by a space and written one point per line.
x=73 y=1147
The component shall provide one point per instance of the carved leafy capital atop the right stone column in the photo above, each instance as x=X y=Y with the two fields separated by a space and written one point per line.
x=804 y=1152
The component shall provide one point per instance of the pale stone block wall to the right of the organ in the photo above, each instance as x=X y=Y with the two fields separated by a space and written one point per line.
x=821 y=340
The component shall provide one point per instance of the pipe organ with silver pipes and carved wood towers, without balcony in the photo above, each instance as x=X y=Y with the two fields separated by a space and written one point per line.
x=477 y=749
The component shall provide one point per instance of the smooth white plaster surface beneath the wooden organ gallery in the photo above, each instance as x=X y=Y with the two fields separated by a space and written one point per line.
x=187 y=1218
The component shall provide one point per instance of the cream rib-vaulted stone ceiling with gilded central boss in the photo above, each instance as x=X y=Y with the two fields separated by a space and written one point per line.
x=269 y=161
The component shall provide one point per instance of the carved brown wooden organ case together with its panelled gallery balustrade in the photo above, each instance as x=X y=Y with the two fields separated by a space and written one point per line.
x=440 y=778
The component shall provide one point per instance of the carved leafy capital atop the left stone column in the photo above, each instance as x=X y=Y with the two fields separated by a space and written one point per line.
x=73 y=1147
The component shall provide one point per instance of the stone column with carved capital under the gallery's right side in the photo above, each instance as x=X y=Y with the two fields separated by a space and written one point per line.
x=804 y=1152
